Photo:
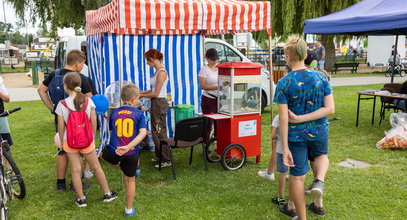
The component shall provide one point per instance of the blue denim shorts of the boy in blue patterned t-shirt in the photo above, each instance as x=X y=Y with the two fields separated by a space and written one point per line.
x=304 y=151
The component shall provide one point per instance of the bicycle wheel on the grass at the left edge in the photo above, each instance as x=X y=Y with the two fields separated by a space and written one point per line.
x=13 y=175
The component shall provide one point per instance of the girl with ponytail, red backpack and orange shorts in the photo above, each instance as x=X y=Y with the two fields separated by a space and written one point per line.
x=76 y=127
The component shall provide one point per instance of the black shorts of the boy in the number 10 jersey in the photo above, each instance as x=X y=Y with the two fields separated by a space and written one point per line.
x=128 y=164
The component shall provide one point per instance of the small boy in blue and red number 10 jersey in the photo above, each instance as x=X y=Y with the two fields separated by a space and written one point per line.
x=128 y=128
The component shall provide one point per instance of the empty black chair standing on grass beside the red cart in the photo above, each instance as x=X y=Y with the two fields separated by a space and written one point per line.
x=188 y=133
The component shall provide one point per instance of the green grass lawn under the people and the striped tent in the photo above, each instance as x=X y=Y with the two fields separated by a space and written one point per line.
x=377 y=192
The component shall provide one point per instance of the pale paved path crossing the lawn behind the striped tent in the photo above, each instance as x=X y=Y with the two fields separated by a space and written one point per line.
x=28 y=94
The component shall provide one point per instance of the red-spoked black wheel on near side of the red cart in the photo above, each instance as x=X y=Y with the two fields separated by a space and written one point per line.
x=233 y=157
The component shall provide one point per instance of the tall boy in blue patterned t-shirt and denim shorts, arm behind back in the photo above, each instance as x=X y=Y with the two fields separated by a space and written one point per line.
x=304 y=99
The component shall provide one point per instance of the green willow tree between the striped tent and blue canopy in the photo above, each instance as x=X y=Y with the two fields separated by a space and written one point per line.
x=289 y=15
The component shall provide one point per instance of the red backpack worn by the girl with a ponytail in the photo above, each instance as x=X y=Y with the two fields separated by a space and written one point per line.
x=78 y=128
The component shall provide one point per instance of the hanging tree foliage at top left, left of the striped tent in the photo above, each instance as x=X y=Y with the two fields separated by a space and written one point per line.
x=54 y=14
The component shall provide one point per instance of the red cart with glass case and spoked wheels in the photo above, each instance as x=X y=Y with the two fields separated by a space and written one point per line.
x=238 y=121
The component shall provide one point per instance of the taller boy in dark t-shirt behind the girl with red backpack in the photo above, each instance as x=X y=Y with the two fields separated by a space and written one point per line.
x=75 y=61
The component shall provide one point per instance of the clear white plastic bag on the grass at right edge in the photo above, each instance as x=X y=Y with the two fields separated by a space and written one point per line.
x=396 y=137
